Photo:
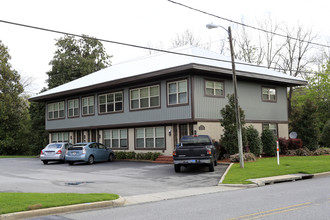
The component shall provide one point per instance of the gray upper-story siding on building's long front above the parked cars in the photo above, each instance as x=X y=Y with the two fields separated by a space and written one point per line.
x=158 y=115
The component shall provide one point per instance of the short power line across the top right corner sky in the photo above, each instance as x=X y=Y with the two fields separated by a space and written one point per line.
x=246 y=25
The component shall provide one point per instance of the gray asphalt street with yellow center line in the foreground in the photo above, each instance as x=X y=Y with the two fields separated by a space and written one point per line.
x=305 y=199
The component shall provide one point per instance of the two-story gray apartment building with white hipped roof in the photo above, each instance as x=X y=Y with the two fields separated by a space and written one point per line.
x=149 y=103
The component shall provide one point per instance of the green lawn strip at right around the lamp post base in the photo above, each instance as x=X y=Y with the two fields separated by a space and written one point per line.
x=266 y=167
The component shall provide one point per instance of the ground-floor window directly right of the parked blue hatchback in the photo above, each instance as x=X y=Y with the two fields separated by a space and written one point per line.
x=116 y=138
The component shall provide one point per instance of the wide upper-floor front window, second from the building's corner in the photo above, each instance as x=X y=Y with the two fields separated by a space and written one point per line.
x=146 y=97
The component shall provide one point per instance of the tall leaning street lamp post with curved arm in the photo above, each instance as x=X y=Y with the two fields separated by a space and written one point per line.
x=238 y=118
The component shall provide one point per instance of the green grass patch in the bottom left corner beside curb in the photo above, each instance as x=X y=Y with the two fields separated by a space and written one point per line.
x=16 y=202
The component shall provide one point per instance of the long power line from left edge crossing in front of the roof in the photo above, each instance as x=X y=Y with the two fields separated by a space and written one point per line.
x=137 y=46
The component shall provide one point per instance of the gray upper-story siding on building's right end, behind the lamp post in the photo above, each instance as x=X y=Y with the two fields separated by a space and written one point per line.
x=249 y=94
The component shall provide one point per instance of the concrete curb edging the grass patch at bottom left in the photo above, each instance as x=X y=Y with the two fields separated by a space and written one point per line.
x=70 y=208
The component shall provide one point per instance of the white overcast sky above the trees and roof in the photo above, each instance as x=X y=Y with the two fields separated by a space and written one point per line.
x=152 y=23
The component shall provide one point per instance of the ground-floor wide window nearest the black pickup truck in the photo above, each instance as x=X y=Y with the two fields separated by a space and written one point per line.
x=151 y=137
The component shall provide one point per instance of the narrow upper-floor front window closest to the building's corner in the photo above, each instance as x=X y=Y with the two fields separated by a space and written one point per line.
x=177 y=92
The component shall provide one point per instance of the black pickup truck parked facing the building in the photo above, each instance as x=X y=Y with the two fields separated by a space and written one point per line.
x=194 y=150
